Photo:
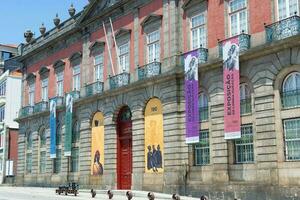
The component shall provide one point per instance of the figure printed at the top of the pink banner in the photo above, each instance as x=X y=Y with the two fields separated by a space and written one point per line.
x=231 y=62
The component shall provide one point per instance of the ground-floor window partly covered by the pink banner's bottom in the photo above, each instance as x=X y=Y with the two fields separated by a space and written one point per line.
x=244 y=145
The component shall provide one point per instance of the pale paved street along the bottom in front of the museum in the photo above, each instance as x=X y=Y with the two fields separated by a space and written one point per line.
x=30 y=193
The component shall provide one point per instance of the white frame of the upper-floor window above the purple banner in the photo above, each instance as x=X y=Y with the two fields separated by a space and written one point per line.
x=198 y=29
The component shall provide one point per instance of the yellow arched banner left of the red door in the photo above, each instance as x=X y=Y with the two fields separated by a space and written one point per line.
x=97 y=150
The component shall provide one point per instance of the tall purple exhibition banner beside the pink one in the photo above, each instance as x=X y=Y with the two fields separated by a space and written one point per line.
x=191 y=96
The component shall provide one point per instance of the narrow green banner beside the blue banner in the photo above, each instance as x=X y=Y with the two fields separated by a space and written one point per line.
x=68 y=125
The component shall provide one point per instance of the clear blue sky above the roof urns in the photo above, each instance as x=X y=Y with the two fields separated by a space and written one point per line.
x=18 y=15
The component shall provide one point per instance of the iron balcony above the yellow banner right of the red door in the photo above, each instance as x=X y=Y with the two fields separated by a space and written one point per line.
x=149 y=70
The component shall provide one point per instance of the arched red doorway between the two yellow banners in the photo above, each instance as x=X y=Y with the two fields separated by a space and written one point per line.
x=124 y=147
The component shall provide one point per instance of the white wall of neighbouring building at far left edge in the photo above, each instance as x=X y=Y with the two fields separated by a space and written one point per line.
x=13 y=101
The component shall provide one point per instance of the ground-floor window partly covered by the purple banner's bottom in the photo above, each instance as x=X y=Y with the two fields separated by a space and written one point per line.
x=202 y=155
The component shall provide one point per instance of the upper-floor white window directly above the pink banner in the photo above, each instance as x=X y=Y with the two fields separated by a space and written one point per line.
x=238 y=17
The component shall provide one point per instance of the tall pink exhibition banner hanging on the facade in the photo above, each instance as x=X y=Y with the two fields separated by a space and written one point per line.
x=231 y=81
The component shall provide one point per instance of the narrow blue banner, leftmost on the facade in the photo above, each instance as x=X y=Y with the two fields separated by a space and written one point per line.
x=53 y=128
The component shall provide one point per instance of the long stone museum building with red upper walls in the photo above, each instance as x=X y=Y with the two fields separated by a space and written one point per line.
x=122 y=63
